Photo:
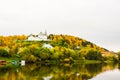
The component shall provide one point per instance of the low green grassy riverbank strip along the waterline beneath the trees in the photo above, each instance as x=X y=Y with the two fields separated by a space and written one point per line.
x=17 y=60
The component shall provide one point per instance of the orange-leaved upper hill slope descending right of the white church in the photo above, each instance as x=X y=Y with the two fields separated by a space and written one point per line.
x=73 y=42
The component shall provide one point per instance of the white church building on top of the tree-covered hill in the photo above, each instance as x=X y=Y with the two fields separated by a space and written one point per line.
x=40 y=37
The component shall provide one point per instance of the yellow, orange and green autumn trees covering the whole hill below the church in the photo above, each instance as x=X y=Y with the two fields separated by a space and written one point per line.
x=66 y=48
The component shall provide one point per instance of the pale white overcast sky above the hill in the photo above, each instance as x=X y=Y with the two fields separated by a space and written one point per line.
x=95 y=20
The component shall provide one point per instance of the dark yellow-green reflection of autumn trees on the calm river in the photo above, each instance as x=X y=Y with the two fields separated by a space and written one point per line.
x=54 y=72
